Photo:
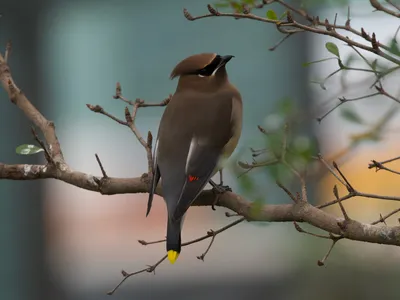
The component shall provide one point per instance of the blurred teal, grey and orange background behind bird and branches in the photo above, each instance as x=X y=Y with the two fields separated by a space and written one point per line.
x=61 y=242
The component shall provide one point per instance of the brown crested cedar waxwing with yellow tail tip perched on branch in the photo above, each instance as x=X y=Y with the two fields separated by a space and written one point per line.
x=200 y=128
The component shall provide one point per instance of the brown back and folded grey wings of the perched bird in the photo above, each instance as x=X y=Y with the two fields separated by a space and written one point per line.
x=202 y=135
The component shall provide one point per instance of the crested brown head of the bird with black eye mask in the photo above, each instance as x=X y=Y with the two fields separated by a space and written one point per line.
x=200 y=69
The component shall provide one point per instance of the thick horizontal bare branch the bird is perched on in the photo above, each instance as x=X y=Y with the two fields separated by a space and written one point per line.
x=299 y=212
